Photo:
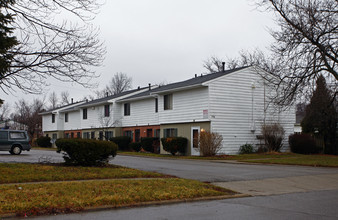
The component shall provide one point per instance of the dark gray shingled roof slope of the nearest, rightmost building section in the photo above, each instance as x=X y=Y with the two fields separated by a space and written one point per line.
x=187 y=83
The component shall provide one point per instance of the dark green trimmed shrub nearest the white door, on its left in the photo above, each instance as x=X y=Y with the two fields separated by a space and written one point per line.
x=175 y=144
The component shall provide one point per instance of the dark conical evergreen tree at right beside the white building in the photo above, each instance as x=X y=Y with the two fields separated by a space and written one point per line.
x=321 y=117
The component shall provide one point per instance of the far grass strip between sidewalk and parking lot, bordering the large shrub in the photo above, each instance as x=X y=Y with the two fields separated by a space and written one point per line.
x=20 y=173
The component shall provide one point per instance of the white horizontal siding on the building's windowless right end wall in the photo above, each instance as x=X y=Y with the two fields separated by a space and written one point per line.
x=237 y=107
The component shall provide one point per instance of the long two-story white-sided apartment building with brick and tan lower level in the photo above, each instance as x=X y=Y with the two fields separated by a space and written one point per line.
x=234 y=103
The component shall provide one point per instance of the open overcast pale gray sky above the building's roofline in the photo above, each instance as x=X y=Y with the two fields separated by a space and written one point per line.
x=157 y=41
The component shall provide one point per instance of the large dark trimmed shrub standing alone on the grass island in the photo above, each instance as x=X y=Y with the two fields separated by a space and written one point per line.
x=85 y=152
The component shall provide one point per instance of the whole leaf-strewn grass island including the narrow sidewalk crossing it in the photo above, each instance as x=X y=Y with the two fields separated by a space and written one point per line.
x=63 y=189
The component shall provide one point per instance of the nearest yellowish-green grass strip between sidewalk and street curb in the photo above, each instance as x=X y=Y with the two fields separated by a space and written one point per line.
x=51 y=198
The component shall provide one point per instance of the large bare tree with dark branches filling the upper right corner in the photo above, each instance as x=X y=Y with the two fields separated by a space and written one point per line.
x=305 y=45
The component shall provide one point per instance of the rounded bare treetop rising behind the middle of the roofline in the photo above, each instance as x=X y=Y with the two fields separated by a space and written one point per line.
x=119 y=82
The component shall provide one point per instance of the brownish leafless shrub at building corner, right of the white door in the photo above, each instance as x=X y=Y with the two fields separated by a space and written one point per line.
x=210 y=143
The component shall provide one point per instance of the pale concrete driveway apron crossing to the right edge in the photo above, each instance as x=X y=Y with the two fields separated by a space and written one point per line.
x=276 y=186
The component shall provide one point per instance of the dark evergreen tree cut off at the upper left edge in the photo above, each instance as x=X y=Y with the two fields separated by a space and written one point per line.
x=6 y=42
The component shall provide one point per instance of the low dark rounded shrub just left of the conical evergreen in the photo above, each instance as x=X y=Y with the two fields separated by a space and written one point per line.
x=303 y=144
